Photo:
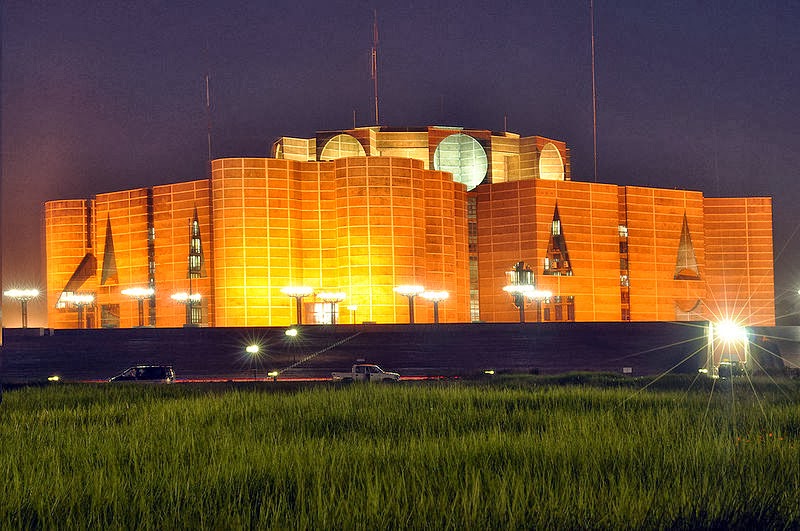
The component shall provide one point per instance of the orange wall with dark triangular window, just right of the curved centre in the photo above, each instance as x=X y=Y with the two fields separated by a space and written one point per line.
x=515 y=223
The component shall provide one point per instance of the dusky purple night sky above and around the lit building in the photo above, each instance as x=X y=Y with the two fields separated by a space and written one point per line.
x=104 y=96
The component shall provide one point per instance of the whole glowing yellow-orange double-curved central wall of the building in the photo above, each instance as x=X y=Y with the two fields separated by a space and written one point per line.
x=359 y=225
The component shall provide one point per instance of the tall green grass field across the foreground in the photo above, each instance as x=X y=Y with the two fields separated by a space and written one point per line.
x=576 y=451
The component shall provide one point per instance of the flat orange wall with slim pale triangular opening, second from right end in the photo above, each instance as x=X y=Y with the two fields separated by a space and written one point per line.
x=655 y=221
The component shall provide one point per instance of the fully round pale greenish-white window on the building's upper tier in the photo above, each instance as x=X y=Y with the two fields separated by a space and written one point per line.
x=462 y=156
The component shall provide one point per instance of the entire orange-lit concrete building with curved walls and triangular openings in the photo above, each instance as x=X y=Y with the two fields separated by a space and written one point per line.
x=361 y=211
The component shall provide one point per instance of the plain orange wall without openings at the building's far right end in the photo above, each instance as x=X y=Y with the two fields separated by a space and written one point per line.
x=740 y=273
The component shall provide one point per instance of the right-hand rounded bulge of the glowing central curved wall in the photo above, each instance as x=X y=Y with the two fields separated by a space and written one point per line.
x=396 y=226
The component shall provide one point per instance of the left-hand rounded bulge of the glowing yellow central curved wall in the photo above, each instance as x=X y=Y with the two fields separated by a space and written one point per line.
x=256 y=228
